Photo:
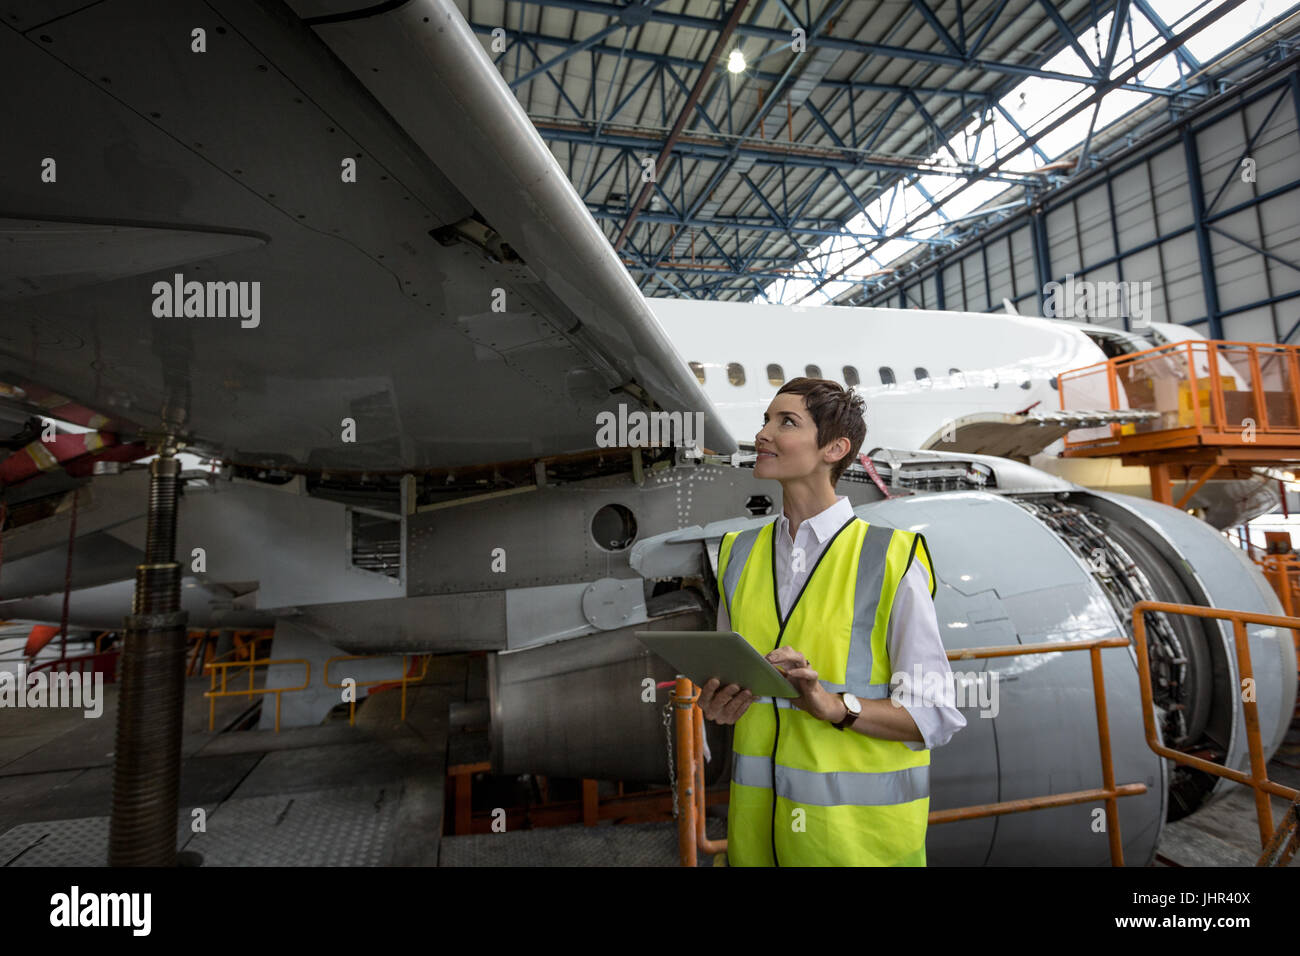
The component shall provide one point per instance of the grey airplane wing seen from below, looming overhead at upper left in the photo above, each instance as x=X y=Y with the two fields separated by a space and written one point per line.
x=302 y=219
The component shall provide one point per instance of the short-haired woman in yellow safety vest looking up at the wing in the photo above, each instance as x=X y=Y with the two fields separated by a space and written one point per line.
x=840 y=775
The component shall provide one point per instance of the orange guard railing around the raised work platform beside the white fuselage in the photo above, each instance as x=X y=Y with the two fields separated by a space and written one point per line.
x=1204 y=392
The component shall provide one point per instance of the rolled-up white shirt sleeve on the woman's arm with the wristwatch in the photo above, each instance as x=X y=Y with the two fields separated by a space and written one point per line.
x=913 y=641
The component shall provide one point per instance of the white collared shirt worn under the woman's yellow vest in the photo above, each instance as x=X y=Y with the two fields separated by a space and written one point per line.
x=913 y=637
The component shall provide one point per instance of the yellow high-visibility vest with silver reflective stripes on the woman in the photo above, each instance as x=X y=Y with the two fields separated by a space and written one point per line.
x=842 y=798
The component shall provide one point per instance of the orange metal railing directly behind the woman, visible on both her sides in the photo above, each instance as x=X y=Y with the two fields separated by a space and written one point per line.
x=691 y=793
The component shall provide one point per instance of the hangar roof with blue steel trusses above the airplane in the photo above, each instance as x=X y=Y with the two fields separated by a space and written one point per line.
x=714 y=184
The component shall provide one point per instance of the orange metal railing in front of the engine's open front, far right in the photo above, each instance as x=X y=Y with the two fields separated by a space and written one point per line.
x=1259 y=777
